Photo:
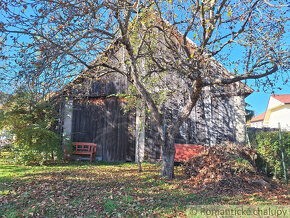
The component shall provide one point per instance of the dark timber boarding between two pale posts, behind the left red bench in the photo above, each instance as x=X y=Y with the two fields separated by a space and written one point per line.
x=102 y=121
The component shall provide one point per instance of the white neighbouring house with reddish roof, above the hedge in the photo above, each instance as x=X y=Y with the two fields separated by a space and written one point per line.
x=278 y=111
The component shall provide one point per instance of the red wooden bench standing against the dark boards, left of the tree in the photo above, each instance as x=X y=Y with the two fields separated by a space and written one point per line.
x=85 y=148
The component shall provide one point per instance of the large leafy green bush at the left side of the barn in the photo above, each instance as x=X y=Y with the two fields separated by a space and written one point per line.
x=31 y=123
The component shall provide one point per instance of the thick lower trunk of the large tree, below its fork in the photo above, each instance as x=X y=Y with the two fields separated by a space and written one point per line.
x=168 y=152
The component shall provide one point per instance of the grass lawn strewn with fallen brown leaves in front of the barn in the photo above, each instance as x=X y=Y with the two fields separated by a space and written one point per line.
x=104 y=189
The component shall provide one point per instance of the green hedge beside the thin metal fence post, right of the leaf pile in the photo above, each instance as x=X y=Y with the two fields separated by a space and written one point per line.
x=269 y=151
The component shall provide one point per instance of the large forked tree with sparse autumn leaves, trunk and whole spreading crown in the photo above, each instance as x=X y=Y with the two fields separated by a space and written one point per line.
x=45 y=43
